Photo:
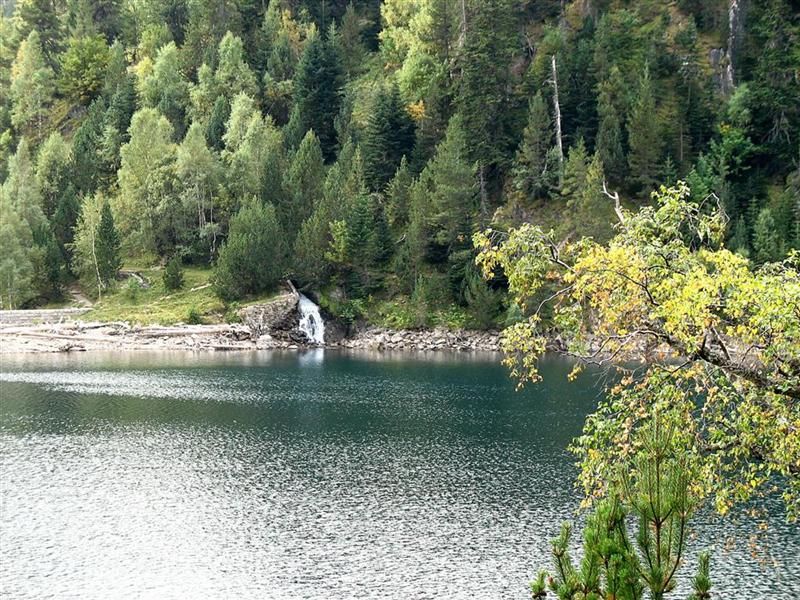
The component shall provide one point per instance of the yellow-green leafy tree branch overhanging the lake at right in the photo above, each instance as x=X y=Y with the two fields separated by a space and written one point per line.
x=665 y=286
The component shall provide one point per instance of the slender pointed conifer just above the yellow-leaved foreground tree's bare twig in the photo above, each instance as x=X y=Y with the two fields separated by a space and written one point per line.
x=644 y=139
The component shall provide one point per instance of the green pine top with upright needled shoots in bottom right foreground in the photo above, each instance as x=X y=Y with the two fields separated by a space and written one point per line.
x=657 y=490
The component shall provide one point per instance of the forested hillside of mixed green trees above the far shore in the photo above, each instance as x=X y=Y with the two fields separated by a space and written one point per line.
x=356 y=148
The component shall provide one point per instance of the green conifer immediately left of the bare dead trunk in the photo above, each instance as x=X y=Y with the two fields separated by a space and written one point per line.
x=534 y=173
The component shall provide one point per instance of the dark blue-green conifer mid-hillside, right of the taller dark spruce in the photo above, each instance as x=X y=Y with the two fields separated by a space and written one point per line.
x=389 y=136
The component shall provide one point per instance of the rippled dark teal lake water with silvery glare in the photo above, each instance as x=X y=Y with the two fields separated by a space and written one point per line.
x=316 y=475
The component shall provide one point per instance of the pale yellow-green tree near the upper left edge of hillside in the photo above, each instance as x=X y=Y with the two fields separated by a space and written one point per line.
x=32 y=86
